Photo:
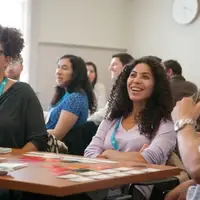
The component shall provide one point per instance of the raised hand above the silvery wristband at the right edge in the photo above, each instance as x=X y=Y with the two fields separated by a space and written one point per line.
x=186 y=108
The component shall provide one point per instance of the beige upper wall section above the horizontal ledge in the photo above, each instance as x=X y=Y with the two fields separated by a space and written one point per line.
x=85 y=22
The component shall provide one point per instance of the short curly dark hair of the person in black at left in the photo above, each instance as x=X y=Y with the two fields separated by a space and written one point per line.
x=12 y=42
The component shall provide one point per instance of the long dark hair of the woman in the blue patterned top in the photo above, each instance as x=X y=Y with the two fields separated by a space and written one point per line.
x=79 y=83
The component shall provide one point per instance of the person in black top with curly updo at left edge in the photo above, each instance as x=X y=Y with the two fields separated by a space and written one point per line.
x=22 y=124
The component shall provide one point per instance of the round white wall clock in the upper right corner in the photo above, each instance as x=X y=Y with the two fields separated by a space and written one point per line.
x=185 y=11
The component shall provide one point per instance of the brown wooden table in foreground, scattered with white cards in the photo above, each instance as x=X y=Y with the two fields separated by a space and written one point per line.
x=38 y=179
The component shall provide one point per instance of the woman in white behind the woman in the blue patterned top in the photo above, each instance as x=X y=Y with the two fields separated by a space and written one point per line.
x=98 y=88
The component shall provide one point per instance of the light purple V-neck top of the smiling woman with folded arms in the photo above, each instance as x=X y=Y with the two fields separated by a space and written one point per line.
x=132 y=141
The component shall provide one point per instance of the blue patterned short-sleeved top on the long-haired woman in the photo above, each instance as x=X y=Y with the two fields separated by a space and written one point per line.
x=75 y=103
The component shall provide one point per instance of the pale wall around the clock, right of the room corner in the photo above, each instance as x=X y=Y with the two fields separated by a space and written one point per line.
x=155 y=32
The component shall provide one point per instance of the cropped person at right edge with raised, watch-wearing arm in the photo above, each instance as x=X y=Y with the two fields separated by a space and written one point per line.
x=187 y=112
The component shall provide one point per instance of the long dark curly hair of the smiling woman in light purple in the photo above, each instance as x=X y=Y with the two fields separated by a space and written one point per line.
x=158 y=107
